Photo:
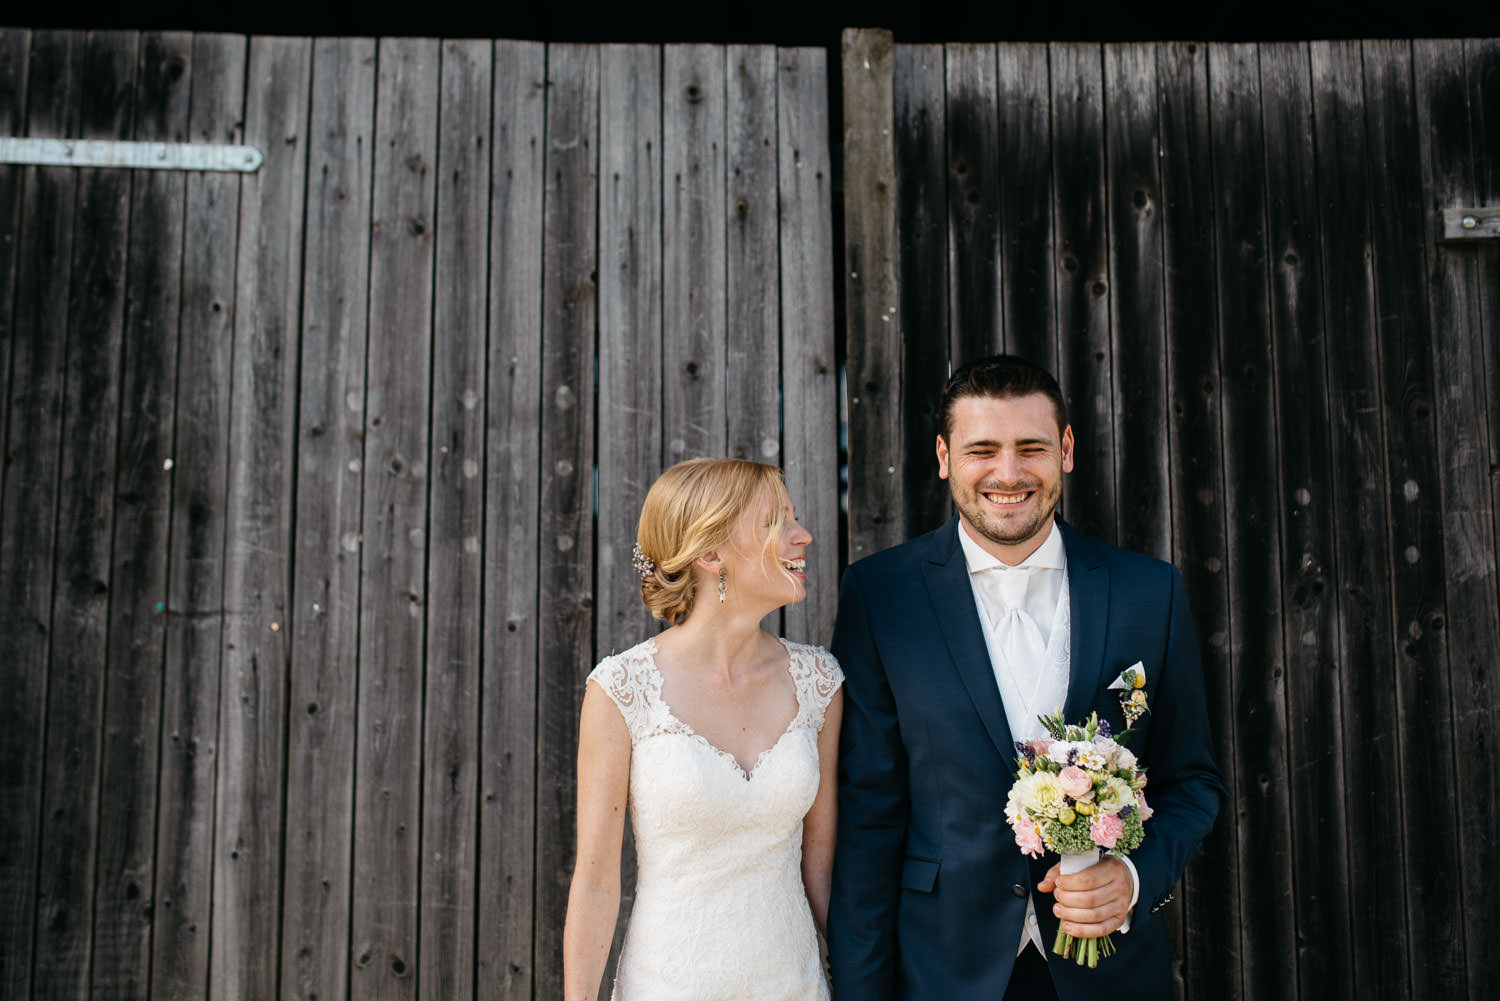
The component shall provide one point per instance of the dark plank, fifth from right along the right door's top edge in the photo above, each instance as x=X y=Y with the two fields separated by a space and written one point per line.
x=1315 y=684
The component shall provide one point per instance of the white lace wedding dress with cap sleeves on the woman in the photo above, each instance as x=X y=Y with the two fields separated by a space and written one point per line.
x=721 y=913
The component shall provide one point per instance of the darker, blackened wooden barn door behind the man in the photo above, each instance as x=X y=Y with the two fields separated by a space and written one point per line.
x=1283 y=383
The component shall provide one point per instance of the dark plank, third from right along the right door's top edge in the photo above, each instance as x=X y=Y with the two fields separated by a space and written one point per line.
x=1424 y=709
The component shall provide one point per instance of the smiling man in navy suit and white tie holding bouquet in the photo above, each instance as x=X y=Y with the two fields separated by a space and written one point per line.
x=952 y=646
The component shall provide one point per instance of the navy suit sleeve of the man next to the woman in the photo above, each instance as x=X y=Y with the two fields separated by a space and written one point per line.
x=874 y=810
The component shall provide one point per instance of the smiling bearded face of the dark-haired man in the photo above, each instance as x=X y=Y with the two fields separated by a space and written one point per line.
x=1004 y=461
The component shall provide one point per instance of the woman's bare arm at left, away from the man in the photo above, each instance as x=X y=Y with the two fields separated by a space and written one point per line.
x=593 y=901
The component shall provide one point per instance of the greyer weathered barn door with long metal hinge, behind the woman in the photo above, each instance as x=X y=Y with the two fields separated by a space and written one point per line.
x=320 y=482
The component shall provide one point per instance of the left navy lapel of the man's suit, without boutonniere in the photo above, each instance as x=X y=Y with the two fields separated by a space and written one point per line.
x=947 y=576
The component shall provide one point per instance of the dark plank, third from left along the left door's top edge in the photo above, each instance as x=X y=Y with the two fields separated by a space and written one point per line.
x=77 y=675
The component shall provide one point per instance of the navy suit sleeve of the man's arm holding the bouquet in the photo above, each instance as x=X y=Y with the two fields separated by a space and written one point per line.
x=1184 y=784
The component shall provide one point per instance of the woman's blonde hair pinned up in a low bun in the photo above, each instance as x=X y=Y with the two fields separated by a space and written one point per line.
x=689 y=513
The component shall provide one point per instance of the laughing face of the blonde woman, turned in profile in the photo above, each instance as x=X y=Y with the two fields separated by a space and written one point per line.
x=767 y=553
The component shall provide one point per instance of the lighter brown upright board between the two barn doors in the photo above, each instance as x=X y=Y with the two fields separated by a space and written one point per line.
x=872 y=296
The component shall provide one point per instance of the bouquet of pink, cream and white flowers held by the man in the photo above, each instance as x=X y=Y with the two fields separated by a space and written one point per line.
x=1078 y=792
